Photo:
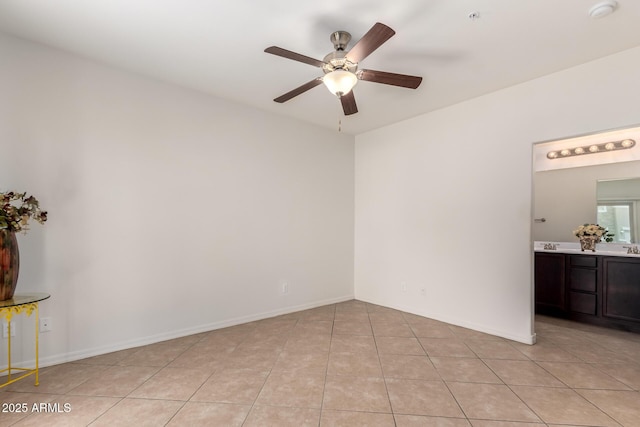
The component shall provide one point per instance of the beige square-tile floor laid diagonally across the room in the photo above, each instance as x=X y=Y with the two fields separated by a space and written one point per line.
x=348 y=364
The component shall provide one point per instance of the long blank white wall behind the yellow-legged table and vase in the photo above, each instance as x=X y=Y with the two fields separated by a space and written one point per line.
x=171 y=212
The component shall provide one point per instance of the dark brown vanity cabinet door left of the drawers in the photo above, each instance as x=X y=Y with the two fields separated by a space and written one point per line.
x=549 y=283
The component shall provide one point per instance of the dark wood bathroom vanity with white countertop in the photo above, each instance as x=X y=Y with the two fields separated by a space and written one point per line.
x=601 y=287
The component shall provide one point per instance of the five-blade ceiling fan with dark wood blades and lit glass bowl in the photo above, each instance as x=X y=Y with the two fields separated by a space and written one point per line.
x=341 y=68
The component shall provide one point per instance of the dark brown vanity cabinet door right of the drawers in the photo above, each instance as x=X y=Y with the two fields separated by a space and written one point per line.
x=621 y=286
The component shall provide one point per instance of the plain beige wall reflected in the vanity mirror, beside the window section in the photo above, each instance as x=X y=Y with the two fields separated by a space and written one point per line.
x=566 y=198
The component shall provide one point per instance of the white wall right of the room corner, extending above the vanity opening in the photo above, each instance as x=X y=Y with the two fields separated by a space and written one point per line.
x=444 y=201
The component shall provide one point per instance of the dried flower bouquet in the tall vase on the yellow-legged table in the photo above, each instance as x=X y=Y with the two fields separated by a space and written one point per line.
x=16 y=209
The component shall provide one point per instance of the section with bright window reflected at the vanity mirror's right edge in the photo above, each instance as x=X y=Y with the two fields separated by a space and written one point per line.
x=618 y=208
